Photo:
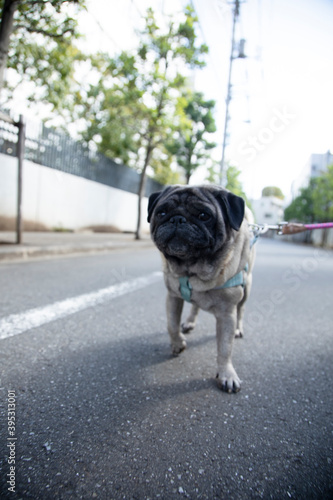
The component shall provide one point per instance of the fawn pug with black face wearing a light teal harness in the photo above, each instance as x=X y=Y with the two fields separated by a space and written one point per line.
x=204 y=238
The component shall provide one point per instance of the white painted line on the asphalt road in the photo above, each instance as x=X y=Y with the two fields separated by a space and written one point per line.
x=19 y=323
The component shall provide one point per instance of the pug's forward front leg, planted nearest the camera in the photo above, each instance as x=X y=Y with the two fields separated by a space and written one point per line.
x=227 y=378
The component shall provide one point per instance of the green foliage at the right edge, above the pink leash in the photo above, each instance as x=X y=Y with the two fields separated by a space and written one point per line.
x=315 y=202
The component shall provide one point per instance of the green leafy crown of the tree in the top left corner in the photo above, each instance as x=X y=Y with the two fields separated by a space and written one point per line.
x=36 y=43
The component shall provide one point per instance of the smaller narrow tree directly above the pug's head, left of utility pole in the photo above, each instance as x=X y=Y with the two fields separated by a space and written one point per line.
x=190 y=144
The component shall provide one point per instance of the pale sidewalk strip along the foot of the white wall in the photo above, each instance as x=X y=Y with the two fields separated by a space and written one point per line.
x=52 y=244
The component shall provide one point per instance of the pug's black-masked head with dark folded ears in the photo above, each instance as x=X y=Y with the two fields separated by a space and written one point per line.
x=193 y=222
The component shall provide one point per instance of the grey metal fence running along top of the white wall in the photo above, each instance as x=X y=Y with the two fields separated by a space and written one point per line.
x=57 y=150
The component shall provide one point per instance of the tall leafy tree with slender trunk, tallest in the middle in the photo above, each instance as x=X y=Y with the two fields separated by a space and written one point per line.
x=132 y=108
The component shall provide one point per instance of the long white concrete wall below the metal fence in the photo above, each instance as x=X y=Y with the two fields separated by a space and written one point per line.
x=60 y=200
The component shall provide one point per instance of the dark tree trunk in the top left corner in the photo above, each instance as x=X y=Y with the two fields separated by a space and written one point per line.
x=6 y=29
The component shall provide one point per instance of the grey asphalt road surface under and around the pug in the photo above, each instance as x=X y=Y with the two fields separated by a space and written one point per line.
x=103 y=411
